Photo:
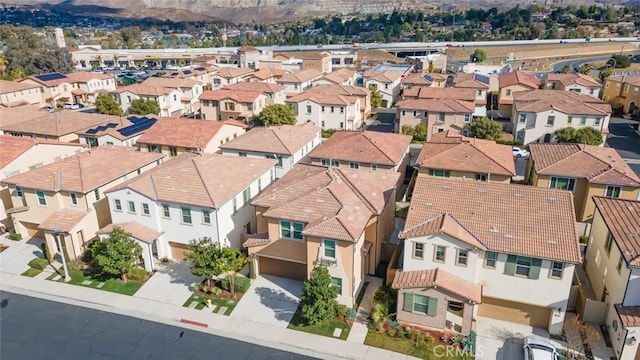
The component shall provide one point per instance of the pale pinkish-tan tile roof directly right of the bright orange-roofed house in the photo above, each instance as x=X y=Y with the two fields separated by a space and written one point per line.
x=284 y=139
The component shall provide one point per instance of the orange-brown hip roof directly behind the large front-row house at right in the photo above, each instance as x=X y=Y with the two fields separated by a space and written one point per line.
x=461 y=153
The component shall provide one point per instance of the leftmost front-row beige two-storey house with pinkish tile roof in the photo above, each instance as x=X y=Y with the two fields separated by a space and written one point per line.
x=67 y=197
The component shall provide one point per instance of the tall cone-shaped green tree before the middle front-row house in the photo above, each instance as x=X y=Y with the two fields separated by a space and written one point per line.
x=318 y=299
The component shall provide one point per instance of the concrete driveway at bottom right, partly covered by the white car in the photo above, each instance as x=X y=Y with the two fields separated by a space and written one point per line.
x=502 y=340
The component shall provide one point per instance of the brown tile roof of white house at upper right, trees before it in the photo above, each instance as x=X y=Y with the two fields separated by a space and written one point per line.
x=567 y=102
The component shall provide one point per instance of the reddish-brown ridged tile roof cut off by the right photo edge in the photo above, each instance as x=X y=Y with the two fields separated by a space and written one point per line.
x=622 y=218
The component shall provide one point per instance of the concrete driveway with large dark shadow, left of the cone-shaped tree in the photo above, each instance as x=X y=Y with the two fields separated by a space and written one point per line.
x=270 y=299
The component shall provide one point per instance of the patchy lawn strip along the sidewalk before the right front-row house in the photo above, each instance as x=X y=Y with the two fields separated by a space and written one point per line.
x=406 y=346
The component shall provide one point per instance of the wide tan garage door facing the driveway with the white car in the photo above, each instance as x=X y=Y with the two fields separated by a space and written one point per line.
x=536 y=316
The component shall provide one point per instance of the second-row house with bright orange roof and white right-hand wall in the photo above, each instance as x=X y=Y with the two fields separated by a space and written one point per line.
x=174 y=136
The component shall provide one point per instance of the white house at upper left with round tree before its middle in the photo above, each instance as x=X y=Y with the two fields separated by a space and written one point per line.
x=169 y=100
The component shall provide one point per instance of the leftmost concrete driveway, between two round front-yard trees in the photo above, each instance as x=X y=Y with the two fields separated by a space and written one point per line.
x=171 y=284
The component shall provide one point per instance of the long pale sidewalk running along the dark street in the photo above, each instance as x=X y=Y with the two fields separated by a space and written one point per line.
x=228 y=326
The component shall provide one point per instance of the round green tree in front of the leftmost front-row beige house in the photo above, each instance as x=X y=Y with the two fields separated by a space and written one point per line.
x=117 y=254
